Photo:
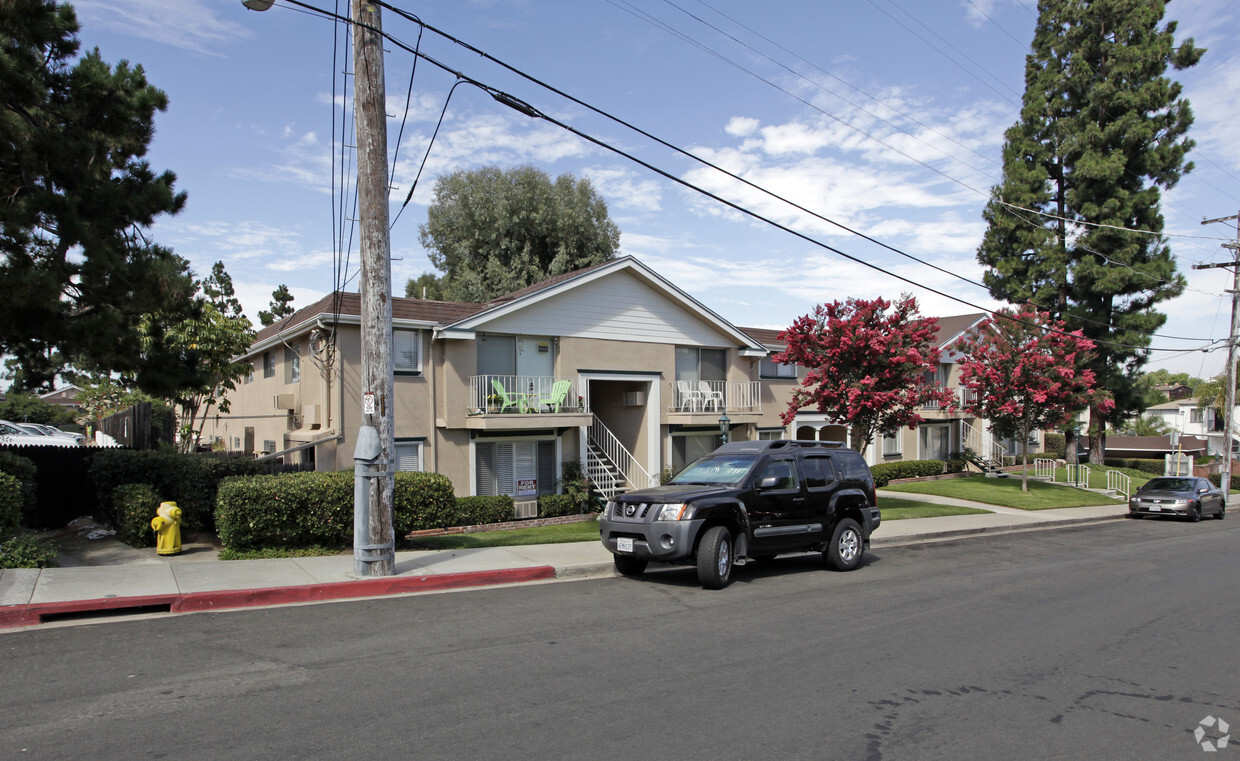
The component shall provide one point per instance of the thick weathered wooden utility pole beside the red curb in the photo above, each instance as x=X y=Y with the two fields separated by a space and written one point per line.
x=374 y=553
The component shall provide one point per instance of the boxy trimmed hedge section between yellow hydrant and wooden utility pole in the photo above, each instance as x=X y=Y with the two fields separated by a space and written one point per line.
x=286 y=511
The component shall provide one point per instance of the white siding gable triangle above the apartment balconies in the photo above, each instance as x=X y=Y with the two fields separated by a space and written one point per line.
x=619 y=308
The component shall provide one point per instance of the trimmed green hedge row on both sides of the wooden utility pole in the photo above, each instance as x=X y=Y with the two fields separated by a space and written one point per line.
x=317 y=509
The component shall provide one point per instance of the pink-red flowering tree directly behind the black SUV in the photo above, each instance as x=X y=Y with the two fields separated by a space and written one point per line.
x=871 y=364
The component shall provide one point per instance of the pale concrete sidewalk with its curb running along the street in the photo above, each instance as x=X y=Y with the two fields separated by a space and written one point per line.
x=122 y=579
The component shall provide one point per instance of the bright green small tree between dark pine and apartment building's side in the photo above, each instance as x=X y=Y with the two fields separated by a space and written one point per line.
x=192 y=361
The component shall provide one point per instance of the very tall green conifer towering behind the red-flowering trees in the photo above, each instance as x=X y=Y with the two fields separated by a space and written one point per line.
x=1102 y=133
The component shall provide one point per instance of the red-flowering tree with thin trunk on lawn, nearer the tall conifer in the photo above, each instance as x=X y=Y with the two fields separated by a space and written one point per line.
x=1026 y=372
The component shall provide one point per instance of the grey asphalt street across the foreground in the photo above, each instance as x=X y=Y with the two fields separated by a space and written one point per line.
x=1109 y=641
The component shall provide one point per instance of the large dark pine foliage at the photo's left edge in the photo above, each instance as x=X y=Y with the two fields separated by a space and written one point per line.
x=77 y=271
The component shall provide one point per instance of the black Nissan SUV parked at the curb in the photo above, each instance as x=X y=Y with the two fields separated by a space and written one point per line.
x=748 y=501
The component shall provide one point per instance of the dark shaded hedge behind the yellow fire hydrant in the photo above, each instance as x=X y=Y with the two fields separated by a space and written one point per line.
x=189 y=480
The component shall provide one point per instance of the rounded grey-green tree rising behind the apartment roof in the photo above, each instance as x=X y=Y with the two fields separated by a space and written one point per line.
x=494 y=231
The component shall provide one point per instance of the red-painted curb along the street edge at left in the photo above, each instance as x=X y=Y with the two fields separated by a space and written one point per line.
x=34 y=614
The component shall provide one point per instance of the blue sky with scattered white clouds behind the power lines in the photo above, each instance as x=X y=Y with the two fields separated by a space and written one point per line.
x=886 y=116
